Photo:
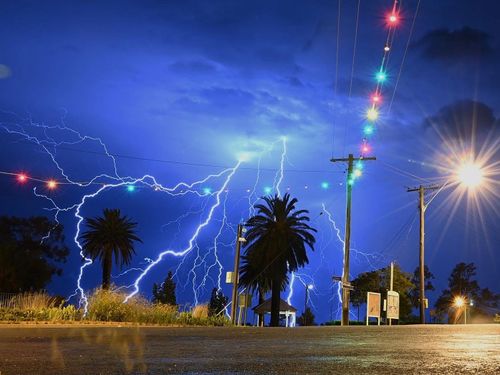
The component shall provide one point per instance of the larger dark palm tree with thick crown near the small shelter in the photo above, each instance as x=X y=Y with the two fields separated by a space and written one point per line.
x=276 y=244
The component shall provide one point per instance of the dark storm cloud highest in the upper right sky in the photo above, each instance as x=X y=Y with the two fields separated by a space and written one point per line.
x=462 y=44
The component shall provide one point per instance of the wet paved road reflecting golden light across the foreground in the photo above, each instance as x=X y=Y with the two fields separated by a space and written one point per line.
x=314 y=350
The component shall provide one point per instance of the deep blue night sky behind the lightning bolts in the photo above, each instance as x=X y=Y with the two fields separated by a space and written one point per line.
x=180 y=90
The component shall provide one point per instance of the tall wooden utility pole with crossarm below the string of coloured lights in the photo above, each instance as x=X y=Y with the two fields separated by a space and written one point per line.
x=347 y=238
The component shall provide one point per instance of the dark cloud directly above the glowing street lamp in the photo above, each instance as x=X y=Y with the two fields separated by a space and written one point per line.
x=463 y=118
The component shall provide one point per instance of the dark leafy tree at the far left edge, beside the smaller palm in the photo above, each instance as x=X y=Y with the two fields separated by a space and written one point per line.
x=30 y=250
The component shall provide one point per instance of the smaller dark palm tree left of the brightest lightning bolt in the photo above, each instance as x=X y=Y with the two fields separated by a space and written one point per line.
x=108 y=236
